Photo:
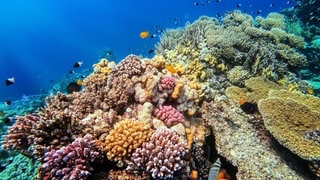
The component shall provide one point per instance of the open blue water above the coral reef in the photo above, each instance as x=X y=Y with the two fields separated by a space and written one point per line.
x=41 y=40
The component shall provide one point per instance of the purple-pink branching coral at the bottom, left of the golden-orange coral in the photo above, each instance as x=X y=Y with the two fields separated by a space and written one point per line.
x=72 y=161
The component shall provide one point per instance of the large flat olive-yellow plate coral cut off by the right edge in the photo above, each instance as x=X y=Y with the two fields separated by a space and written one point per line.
x=289 y=120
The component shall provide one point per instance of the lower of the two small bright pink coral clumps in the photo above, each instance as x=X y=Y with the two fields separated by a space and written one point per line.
x=169 y=115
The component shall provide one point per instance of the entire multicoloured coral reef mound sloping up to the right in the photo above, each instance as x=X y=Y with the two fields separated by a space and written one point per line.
x=151 y=118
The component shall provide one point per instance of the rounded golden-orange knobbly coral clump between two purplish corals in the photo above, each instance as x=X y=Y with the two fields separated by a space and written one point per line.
x=126 y=136
